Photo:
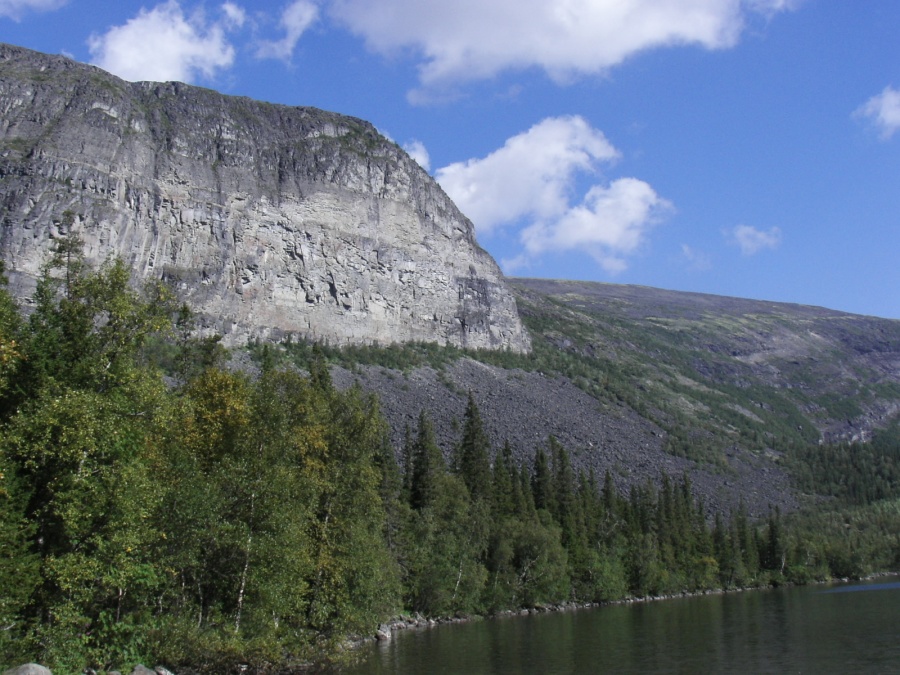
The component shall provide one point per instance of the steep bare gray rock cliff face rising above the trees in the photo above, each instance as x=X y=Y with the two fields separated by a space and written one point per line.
x=268 y=219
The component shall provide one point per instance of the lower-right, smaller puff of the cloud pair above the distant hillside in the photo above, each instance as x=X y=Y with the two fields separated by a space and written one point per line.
x=610 y=224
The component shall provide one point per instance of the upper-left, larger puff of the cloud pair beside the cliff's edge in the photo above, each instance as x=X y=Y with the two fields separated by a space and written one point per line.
x=531 y=174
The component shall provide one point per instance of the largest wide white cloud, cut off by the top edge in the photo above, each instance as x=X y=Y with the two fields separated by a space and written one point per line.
x=472 y=39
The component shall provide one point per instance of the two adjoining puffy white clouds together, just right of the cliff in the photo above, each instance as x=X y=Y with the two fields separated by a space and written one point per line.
x=532 y=179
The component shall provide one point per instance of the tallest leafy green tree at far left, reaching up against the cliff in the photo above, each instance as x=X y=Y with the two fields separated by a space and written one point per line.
x=78 y=444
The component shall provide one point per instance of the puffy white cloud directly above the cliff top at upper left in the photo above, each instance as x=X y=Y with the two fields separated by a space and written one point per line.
x=163 y=44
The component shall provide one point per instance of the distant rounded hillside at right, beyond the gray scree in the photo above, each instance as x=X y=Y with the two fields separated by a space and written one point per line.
x=715 y=371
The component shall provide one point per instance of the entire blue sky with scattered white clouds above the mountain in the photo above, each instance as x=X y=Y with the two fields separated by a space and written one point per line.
x=748 y=148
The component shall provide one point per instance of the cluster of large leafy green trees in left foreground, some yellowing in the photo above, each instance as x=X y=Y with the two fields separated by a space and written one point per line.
x=234 y=515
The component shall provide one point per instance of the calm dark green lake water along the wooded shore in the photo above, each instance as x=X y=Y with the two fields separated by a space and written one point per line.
x=850 y=628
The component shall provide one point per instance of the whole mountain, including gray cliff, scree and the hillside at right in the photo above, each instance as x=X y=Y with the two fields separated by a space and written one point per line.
x=275 y=221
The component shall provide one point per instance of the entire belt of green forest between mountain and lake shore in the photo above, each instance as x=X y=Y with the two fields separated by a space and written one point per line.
x=157 y=506
